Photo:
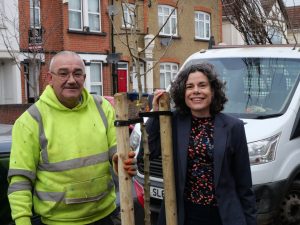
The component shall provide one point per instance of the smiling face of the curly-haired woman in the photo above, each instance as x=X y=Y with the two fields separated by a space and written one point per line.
x=198 y=94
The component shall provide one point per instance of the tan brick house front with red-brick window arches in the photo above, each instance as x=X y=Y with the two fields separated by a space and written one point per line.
x=172 y=45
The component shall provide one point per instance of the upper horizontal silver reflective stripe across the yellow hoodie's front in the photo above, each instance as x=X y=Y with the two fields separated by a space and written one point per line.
x=74 y=163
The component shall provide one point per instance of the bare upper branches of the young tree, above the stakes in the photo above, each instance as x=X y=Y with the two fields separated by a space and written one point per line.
x=132 y=37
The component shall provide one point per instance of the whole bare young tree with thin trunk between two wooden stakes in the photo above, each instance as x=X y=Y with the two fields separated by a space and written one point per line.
x=132 y=38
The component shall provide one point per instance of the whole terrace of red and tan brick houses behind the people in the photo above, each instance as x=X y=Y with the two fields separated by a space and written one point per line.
x=64 y=25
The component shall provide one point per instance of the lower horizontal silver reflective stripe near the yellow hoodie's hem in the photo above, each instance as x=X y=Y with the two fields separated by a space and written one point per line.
x=60 y=196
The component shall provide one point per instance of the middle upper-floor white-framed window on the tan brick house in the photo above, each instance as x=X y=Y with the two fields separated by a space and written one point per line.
x=169 y=13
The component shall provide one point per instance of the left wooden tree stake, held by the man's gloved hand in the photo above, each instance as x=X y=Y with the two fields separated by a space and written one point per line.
x=125 y=181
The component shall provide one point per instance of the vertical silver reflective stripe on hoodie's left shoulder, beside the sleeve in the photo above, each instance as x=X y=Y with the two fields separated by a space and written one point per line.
x=35 y=113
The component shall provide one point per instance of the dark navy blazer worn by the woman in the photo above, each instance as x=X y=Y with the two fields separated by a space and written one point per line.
x=232 y=175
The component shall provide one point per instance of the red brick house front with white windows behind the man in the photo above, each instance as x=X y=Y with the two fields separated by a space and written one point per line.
x=49 y=26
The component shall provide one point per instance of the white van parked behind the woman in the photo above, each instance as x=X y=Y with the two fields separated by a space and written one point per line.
x=263 y=90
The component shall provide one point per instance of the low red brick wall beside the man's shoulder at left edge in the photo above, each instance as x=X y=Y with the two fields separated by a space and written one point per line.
x=9 y=113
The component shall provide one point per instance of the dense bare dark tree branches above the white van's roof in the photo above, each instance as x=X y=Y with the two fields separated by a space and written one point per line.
x=258 y=21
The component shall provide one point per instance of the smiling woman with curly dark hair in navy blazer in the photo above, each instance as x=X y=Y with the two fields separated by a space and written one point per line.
x=211 y=161
